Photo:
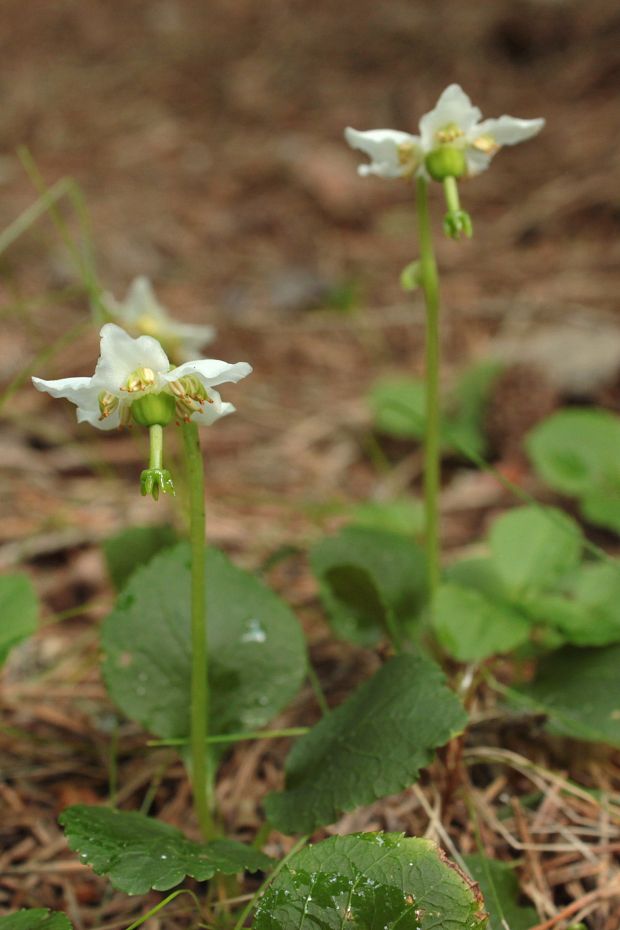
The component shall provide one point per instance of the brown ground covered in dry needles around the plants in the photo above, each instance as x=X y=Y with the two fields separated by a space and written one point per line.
x=206 y=140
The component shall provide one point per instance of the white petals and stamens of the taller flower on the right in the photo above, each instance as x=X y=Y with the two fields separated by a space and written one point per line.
x=453 y=124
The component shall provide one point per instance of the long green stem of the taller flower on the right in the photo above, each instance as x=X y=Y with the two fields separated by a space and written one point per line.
x=432 y=449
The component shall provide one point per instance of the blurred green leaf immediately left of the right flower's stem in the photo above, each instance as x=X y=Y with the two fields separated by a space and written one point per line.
x=398 y=407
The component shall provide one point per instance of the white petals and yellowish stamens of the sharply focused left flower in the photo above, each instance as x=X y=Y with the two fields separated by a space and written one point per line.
x=129 y=369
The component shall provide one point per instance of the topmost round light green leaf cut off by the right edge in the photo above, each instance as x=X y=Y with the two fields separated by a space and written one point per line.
x=577 y=450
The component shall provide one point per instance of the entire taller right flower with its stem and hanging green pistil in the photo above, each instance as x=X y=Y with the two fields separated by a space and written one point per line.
x=453 y=142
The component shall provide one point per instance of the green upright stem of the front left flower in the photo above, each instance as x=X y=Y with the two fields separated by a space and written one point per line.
x=200 y=684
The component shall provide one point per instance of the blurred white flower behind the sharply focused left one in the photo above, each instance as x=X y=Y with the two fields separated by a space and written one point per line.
x=142 y=313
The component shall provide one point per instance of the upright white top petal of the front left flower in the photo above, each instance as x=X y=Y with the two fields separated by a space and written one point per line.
x=121 y=355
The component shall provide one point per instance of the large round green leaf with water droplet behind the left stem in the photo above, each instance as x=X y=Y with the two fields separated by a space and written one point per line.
x=257 y=658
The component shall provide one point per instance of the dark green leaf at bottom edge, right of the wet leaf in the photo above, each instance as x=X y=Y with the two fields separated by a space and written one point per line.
x=500 y=889
